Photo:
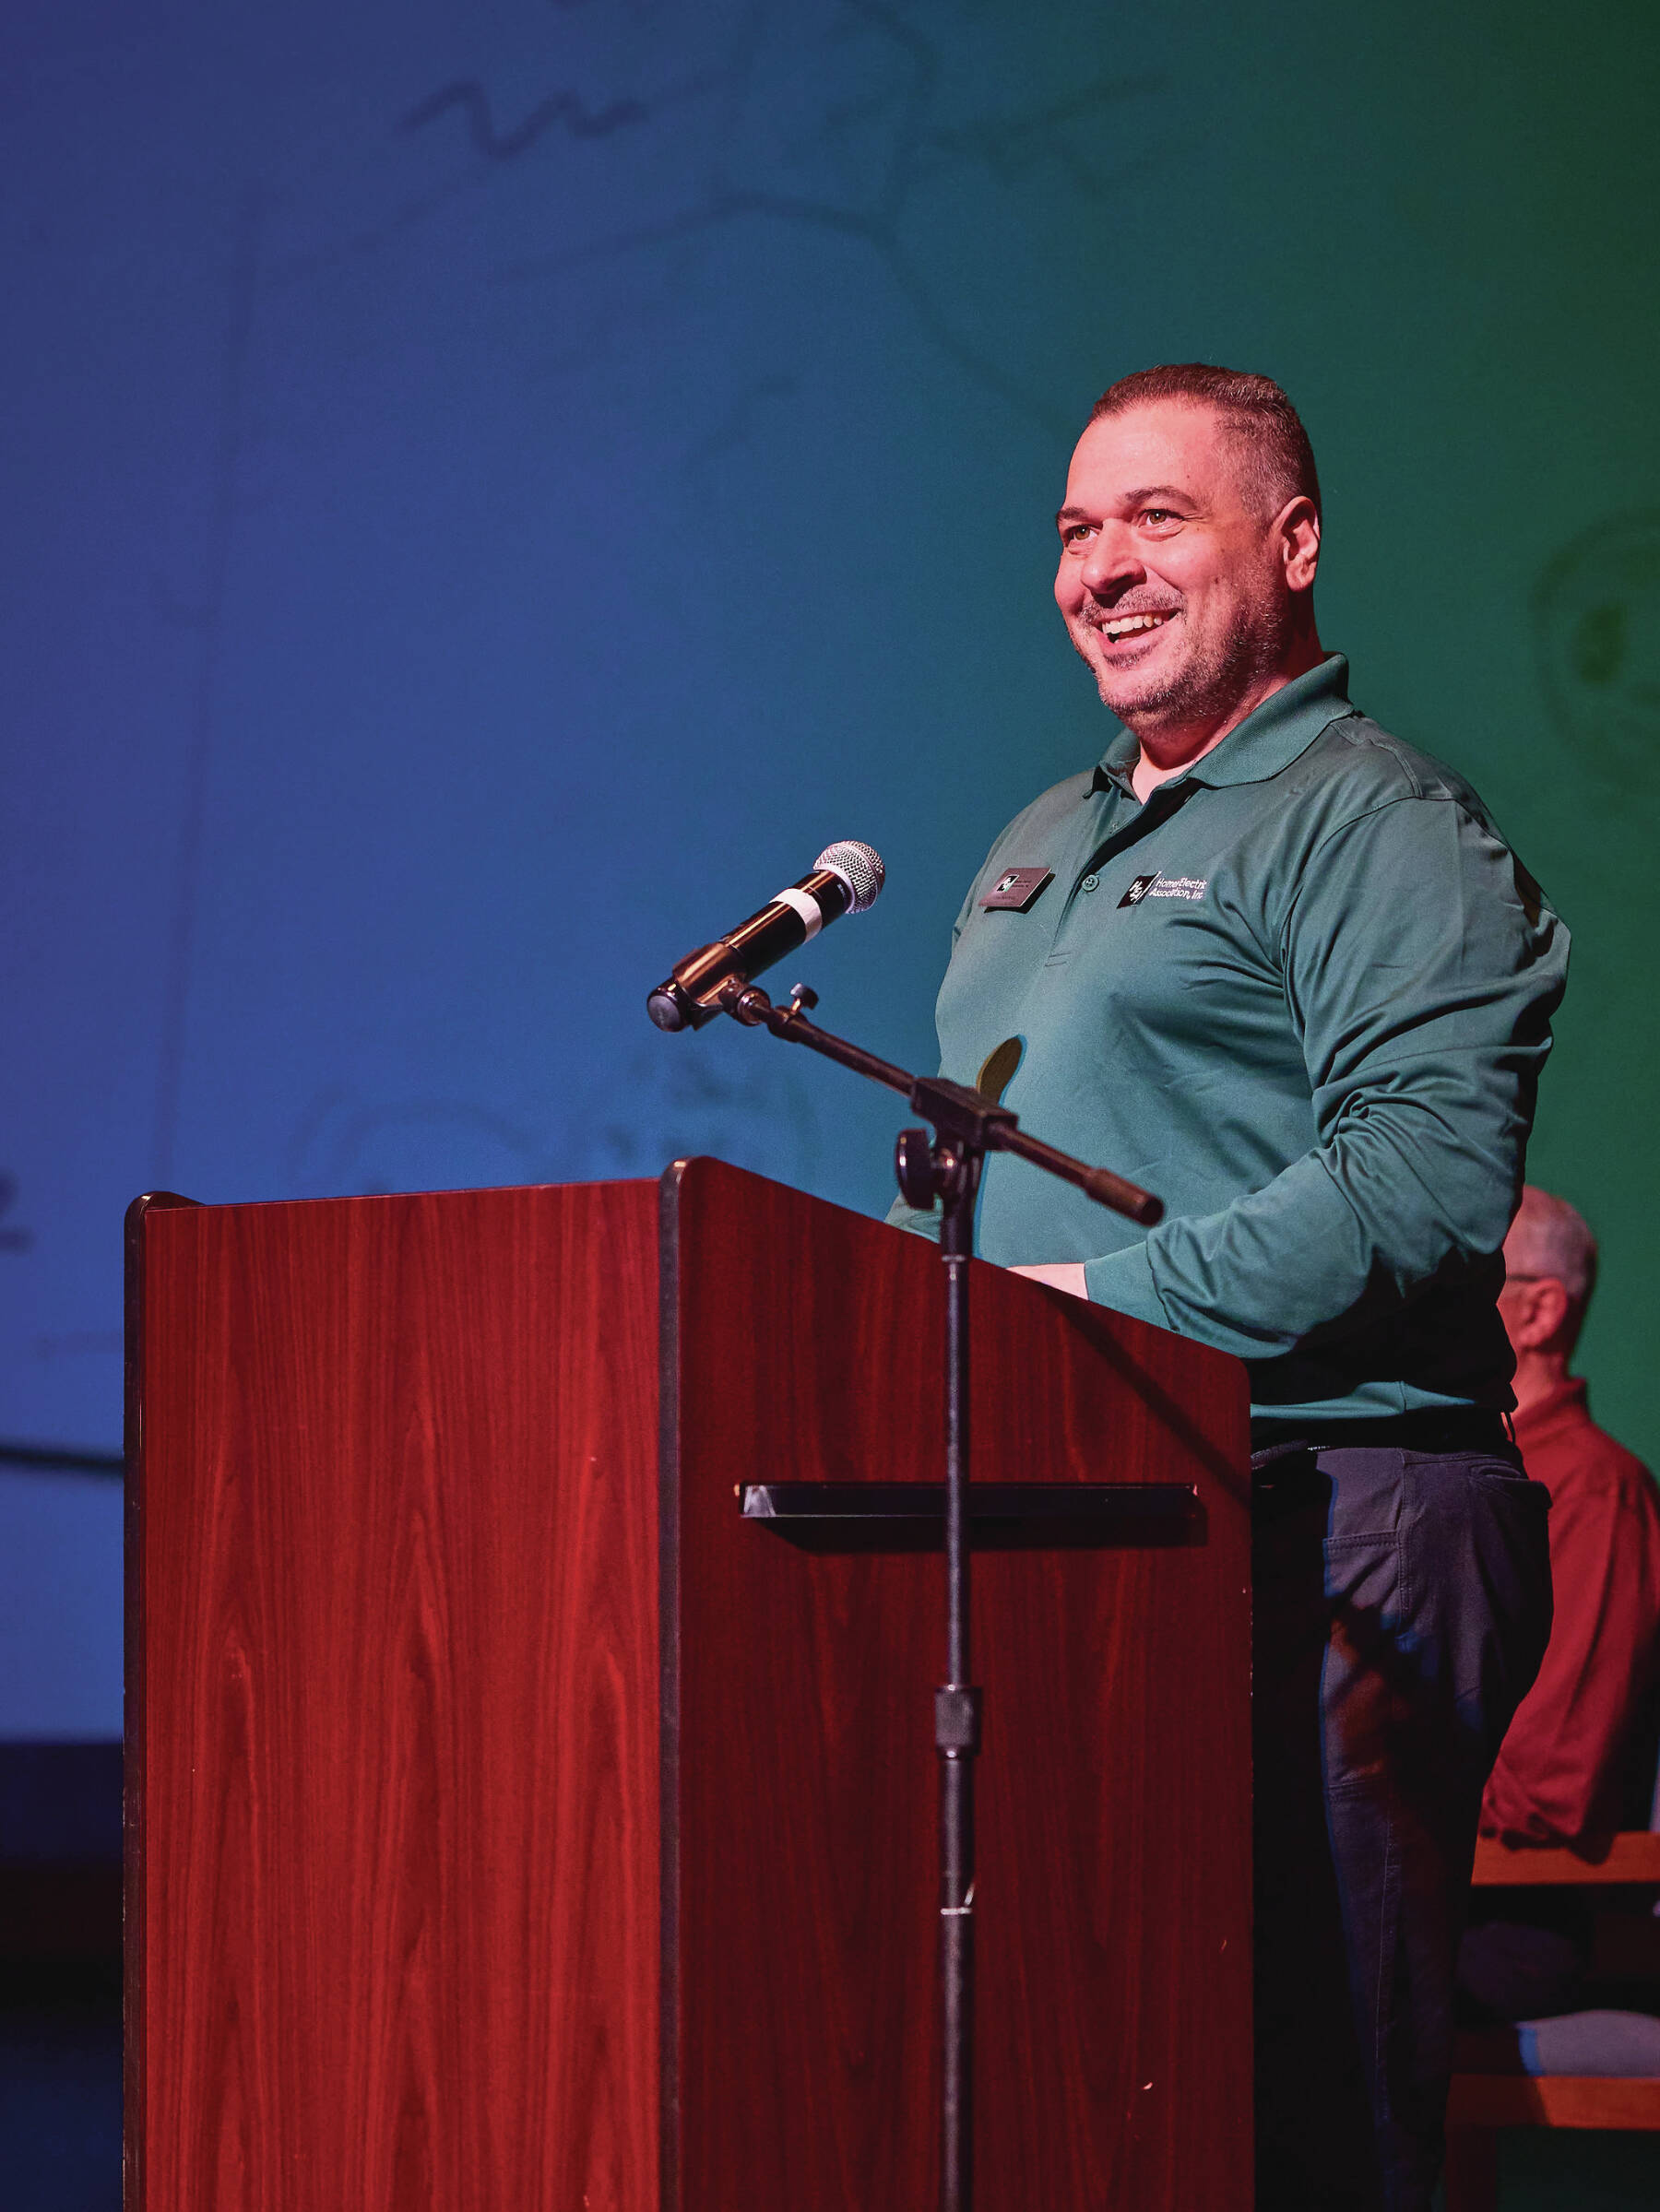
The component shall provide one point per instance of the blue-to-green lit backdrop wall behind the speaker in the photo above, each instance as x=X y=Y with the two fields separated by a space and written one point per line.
x=492 y=490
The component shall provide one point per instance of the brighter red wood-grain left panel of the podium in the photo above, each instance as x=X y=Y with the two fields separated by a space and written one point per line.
x=395 y=1707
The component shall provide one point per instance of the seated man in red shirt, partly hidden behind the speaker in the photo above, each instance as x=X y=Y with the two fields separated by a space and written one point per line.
x=1579 y=1760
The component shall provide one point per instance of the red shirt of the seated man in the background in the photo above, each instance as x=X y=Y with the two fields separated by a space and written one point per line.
x=1562 y=1768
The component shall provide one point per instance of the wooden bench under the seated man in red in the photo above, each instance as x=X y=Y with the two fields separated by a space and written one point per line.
x=1486 y=2103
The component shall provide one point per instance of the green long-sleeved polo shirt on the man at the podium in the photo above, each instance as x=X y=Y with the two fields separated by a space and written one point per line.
x=1305 y=997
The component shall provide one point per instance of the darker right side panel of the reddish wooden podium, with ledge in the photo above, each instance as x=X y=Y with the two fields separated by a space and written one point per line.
x=1114 y=1892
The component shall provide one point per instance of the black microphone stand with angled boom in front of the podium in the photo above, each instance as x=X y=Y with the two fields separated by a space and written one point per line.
x=968 y=1127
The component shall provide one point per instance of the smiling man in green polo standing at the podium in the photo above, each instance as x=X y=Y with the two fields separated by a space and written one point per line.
x=1283 y=970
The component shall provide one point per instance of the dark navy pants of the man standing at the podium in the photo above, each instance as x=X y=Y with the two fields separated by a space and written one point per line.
x=1402 y=1605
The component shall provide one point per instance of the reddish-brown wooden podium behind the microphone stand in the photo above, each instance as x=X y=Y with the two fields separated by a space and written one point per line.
x=523 y=1826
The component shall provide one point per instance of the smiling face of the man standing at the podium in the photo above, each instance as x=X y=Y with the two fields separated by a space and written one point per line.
x=1179 y=587
